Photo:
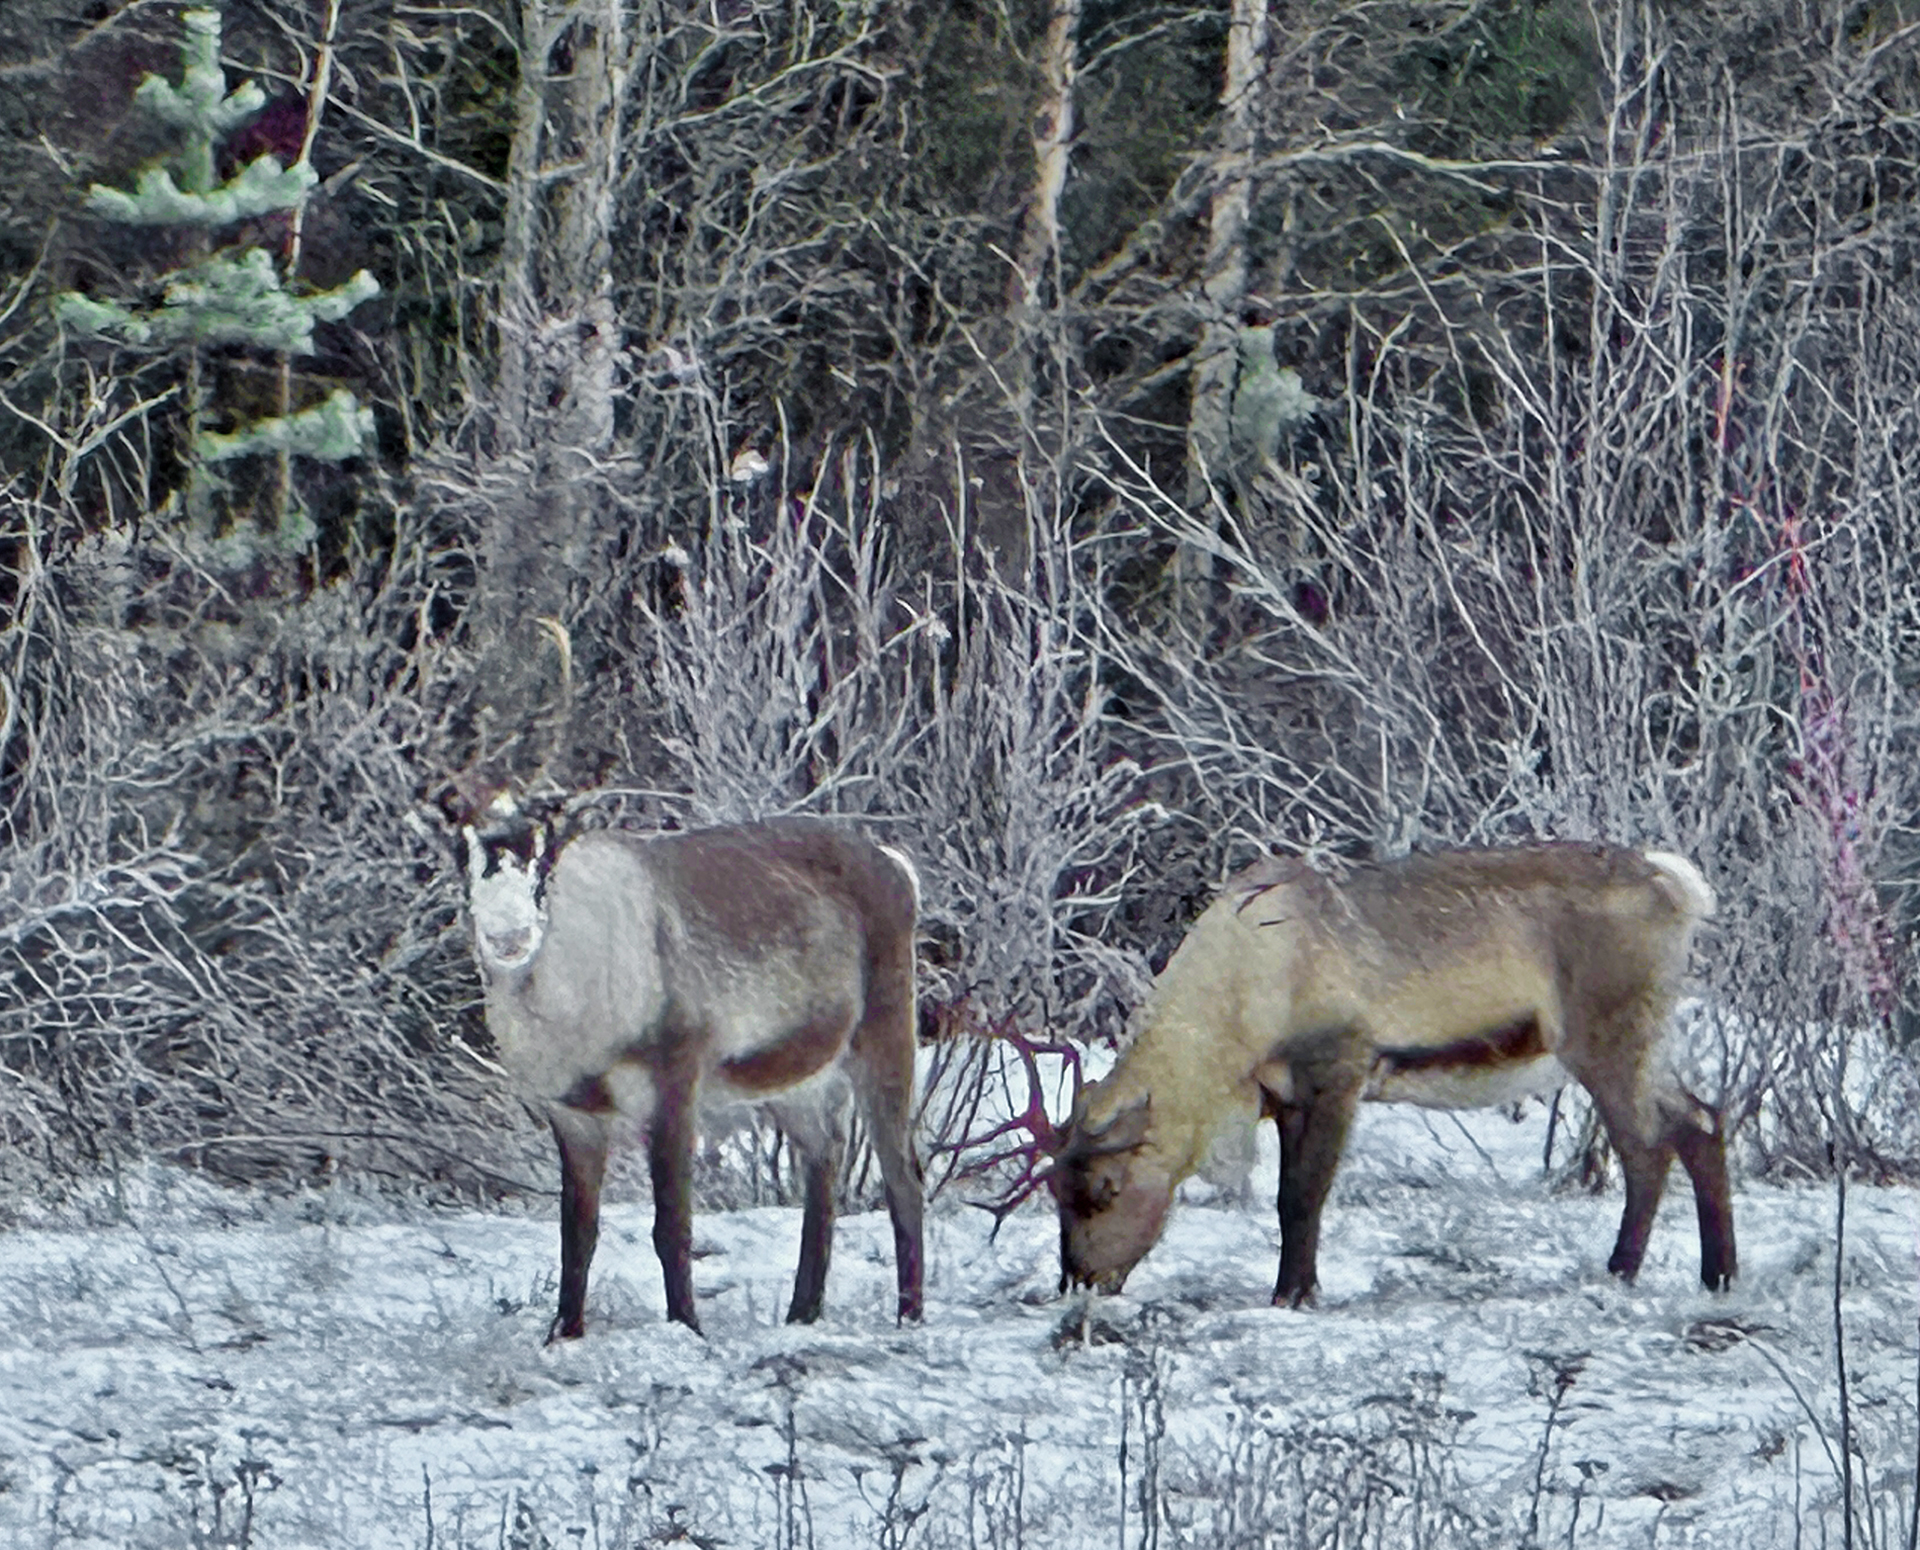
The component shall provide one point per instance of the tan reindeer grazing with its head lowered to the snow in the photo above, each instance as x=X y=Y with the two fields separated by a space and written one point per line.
x=1451 y=981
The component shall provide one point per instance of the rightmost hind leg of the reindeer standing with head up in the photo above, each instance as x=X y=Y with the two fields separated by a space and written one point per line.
x=884 y=1078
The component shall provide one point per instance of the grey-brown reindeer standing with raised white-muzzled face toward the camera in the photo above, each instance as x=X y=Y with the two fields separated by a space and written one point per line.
x=769 y=965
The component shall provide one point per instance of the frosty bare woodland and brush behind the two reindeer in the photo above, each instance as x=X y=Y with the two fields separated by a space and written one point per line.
x=1090 y=445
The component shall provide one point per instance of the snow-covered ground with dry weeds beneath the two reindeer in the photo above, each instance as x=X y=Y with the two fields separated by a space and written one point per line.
x=218 y=1370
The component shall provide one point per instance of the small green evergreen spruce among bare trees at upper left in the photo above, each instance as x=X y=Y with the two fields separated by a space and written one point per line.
x=233 y=297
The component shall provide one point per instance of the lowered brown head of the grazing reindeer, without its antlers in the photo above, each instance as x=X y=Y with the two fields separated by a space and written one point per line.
x=1113 y=1198
